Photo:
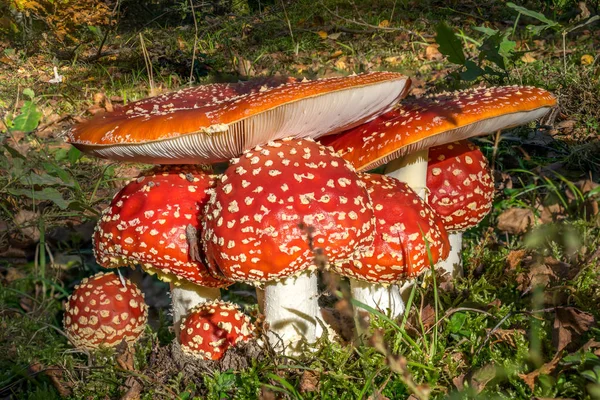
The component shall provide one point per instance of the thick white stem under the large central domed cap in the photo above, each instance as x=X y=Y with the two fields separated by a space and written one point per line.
x=291 y=311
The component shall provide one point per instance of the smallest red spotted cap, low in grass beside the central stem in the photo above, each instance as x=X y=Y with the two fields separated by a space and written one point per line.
x=211 y=328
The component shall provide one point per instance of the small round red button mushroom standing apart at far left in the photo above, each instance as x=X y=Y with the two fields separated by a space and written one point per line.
x=103 y=311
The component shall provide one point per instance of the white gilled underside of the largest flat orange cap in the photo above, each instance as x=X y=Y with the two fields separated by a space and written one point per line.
x=311 y=117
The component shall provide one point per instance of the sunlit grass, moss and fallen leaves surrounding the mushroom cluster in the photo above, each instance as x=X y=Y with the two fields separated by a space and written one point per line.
x=522 y=323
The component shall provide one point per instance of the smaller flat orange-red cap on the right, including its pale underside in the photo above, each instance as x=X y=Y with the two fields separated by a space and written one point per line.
x=434 y=120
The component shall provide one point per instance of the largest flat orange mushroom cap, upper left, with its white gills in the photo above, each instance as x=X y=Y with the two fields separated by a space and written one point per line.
x=217 y=122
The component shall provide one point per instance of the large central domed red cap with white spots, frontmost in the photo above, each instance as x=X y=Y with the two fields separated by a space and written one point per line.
x=279 y=205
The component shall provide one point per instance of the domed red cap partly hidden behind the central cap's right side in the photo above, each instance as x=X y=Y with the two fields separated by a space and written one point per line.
x=403 y=222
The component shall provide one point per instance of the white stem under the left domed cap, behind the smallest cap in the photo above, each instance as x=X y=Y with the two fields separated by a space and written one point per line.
x=186 y=296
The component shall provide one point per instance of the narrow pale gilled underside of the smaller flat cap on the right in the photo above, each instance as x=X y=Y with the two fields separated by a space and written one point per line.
x=479 y=128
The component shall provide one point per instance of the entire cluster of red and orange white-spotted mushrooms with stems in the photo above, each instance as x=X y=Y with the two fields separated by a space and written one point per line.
x=295 y=196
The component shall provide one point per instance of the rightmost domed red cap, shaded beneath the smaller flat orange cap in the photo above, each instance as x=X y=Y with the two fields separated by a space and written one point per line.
x=460 y=183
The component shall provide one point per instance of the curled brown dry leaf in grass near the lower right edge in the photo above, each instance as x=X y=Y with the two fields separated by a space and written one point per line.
x=569 y=324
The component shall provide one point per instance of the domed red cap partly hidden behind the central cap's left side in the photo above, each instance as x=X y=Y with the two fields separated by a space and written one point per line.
x=154 y=221
